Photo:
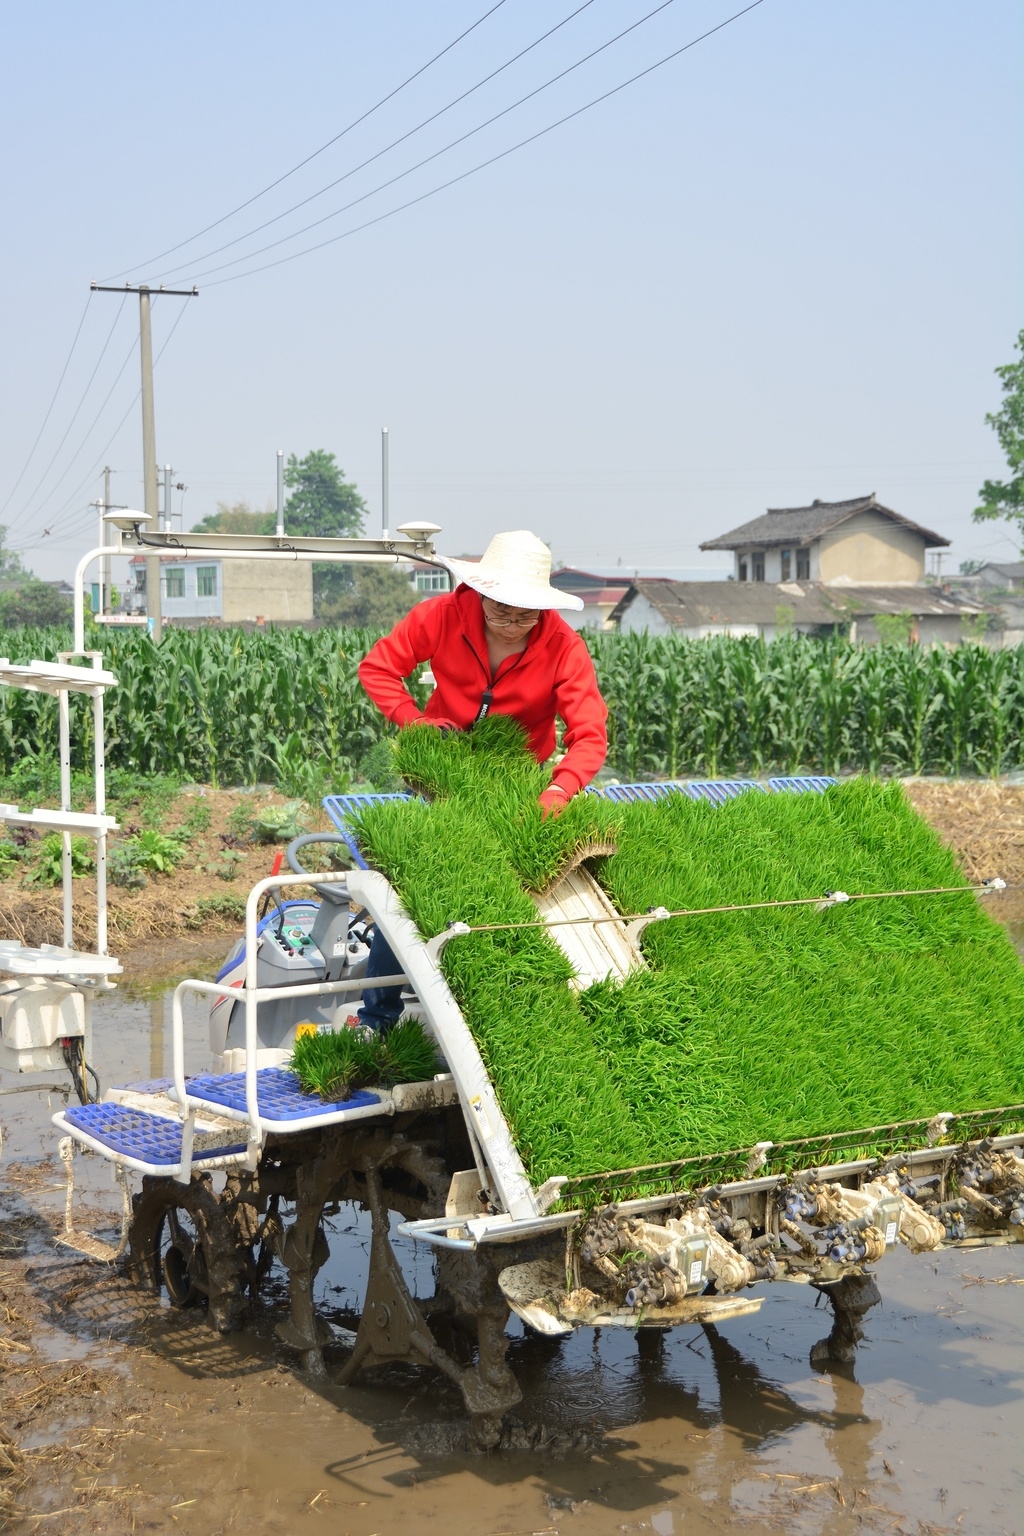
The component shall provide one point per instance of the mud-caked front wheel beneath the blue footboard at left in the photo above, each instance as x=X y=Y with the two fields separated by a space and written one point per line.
x=183 y=1243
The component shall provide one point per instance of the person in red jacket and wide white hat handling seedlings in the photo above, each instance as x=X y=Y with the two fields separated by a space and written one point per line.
x=497 y=646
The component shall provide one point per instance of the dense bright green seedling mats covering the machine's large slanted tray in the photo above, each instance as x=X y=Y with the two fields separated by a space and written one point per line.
x=745 y=1027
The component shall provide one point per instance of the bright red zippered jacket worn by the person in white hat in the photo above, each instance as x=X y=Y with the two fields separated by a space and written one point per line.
x=553 y=677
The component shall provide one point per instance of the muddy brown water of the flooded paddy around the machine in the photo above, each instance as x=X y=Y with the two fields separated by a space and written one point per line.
x=696 y=1432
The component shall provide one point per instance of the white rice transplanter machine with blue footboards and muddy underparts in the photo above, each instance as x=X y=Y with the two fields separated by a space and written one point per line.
x=240 y=1168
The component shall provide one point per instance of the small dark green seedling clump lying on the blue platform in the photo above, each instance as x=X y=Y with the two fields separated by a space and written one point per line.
x=335 y=1064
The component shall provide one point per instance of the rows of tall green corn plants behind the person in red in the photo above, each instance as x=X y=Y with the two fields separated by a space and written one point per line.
x=233 y=707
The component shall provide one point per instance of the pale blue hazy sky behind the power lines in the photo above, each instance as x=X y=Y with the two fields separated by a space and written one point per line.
x=782 y=266
